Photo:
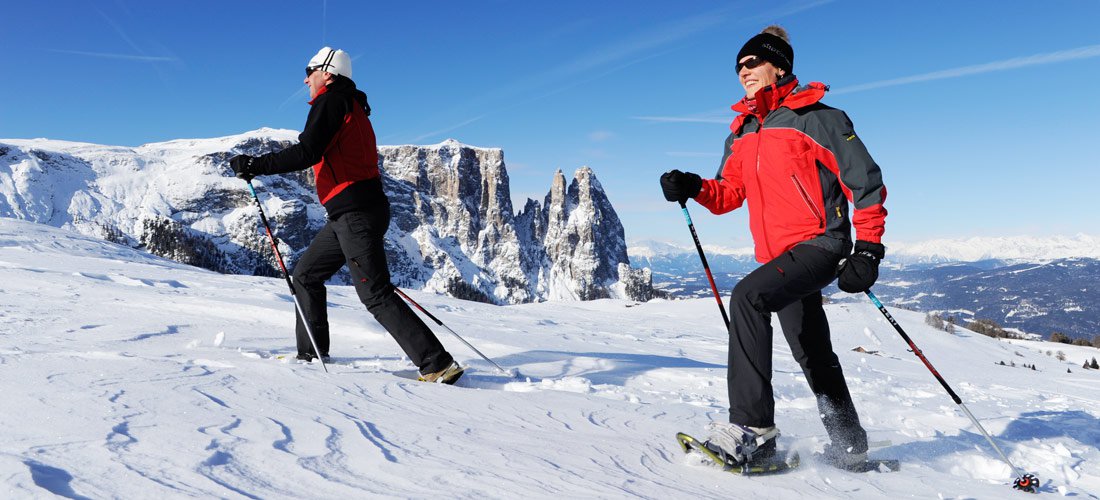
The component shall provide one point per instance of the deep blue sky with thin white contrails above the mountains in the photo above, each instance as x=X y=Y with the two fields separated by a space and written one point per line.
x=984 y=116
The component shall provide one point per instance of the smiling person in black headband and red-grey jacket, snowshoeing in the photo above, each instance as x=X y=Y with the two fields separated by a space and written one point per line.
x=799 y=165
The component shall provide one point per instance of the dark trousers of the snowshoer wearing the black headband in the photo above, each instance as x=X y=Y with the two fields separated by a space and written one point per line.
x=791 y=287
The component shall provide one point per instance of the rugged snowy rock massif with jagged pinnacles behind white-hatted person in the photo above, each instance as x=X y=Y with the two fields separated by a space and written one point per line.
x=454 y=231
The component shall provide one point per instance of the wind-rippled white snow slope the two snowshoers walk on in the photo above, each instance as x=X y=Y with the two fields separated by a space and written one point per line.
x=129 y=376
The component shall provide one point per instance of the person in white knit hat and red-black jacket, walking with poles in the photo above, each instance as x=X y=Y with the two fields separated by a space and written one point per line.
x=338 y=142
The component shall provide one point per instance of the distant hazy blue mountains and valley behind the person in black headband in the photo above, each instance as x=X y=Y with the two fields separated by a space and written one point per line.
x=1038 y=286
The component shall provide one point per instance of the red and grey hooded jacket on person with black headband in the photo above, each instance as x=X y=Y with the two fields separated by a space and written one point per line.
x=798 y=163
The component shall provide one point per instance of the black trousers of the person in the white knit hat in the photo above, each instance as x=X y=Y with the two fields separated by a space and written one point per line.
x=357 y=240
